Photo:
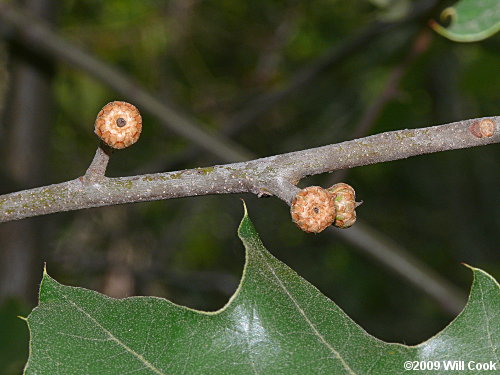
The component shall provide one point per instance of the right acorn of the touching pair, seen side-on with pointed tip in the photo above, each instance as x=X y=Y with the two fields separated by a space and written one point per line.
x=344 y=199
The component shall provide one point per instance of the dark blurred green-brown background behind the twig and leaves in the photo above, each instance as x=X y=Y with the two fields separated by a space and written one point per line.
x=273 y=76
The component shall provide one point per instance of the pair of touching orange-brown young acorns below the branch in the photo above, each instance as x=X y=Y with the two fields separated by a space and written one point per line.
x=314 y=208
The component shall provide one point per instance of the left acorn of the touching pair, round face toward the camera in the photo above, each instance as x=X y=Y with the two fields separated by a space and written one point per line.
x=313 y=209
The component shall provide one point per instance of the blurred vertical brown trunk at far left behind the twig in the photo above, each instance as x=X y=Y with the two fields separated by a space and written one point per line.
x=29 y=115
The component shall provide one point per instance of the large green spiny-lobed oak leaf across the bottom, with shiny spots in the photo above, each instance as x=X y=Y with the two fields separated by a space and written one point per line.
x=275 y=323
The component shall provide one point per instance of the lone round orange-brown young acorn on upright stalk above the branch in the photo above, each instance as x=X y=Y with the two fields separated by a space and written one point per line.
x=118 y=124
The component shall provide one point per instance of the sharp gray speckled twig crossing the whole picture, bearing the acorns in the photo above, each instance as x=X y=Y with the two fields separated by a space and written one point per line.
x=274 y=175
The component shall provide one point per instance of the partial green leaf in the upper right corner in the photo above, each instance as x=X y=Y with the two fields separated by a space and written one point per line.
x=470 y=20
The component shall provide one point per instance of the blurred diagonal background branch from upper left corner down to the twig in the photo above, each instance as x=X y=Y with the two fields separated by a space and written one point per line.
x=33 y=32
